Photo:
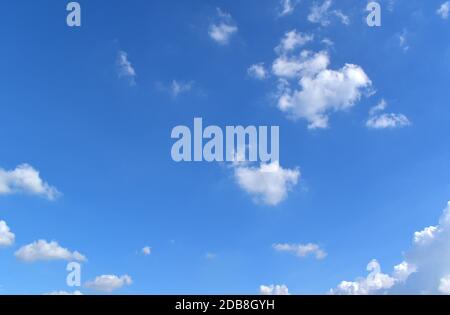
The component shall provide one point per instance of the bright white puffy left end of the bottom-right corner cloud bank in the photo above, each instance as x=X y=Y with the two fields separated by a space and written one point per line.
x=375 y=282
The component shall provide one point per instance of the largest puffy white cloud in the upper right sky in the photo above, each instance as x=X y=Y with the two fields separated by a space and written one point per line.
x=321 y=91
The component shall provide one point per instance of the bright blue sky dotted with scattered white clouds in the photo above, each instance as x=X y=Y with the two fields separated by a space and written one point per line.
x=91 y=110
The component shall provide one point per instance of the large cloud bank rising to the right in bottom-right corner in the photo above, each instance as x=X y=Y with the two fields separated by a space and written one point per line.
x=424 y=268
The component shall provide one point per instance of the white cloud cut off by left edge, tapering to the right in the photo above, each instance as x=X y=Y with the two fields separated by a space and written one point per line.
x=25 y=179
